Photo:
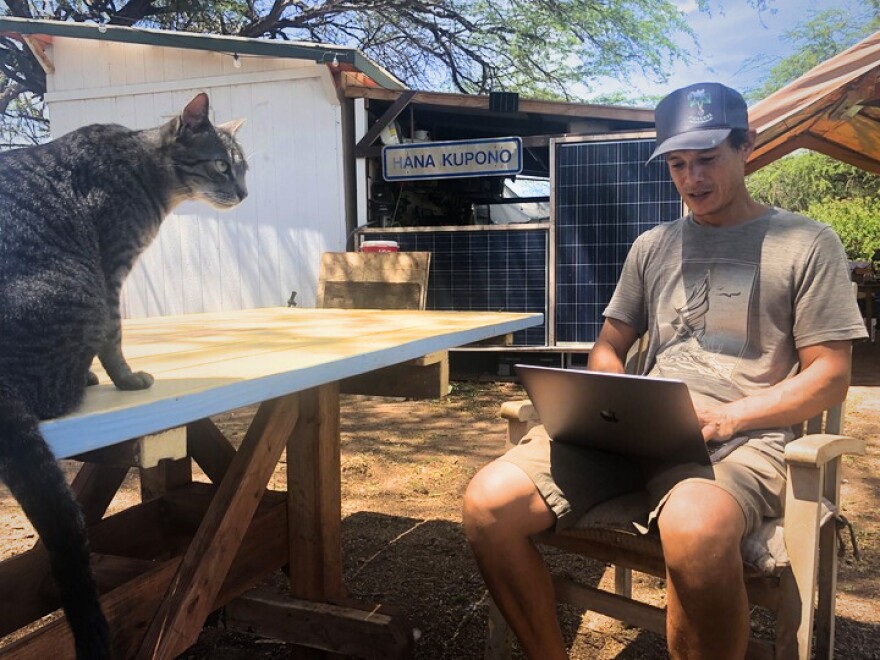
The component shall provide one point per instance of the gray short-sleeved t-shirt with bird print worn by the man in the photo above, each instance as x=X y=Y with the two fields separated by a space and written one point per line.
x=727 y=308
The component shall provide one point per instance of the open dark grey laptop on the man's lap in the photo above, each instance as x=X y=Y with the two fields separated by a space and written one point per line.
x=638 y=416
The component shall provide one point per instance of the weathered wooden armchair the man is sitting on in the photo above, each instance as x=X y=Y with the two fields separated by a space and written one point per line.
x=790 y=562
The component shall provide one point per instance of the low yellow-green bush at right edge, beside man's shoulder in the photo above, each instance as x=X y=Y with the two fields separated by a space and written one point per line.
x=856 y=221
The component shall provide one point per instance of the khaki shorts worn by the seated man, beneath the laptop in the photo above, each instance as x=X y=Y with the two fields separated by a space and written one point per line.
x=573 y=479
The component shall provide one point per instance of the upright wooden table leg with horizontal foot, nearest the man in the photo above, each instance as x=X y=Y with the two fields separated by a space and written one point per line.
x=319 y=618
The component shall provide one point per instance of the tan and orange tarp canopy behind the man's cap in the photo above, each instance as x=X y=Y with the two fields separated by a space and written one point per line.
x=834 y=109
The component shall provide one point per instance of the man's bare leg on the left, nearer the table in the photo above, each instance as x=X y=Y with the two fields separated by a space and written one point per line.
x=502 y=509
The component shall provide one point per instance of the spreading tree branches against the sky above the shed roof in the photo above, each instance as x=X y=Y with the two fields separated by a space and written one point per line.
x=539 y=48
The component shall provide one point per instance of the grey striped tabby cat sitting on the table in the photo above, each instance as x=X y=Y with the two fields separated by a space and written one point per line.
x=75 y=213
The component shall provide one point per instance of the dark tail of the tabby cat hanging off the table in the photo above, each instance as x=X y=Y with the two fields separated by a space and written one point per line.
x=31 y=472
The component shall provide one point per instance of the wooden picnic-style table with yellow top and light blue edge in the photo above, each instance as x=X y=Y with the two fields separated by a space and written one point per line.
x=189 y=548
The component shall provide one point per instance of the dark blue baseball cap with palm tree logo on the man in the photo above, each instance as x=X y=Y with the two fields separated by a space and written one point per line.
x=699 y=116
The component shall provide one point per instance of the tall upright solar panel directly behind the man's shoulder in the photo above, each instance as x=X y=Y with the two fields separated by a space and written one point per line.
x=605 y=196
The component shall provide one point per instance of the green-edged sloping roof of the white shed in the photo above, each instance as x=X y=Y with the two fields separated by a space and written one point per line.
x=38 y=33
